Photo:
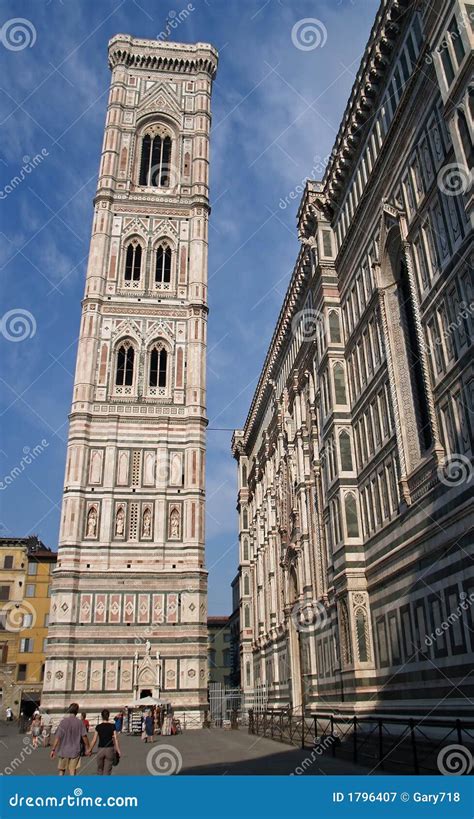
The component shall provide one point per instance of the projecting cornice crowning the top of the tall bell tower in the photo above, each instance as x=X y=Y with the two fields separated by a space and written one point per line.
x=162 y=55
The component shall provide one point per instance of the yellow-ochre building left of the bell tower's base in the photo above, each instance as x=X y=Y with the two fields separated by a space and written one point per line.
x=25 y=576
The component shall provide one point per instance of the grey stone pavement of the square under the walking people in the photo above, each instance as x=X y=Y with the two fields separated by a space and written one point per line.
x=195 y=752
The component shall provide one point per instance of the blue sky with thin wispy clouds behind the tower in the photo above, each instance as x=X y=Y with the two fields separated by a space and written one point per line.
x=276 y=112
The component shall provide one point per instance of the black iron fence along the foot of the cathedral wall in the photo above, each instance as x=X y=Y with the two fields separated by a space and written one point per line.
x=410 y=745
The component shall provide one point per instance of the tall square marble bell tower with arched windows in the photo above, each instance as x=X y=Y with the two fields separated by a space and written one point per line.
x=129 y=597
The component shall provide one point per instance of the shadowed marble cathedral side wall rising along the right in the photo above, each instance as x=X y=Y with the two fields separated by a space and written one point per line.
x=355 y=462
